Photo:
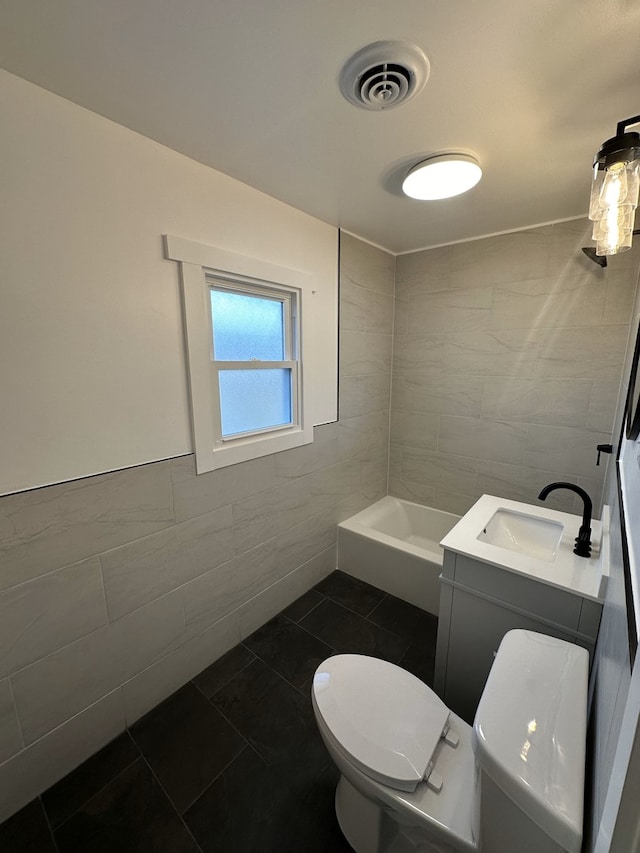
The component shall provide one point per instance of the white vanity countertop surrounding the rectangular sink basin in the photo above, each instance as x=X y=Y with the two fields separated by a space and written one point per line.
x=567 y=571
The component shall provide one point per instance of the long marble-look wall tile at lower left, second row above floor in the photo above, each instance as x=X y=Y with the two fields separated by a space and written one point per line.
x=61 y=685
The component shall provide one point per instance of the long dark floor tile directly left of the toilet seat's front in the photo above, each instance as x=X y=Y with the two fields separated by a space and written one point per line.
x=278 y=722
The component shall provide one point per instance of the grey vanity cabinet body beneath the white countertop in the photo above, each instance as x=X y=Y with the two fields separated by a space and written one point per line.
x=479 y=603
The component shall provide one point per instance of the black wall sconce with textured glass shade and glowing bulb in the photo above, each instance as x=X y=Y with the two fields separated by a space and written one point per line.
x=614 y=191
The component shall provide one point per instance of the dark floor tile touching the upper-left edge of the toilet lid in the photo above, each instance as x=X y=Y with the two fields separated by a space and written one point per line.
x=288 y=649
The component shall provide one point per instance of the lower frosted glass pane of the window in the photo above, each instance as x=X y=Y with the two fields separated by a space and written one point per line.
x=254 y=399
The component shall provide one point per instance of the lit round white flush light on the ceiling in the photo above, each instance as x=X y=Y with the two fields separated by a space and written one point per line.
x=442 y=176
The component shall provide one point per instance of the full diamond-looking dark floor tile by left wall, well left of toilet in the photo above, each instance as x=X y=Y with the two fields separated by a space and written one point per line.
x=187 y=743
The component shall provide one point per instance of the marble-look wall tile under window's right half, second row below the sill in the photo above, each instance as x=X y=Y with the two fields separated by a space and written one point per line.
x=260 y=517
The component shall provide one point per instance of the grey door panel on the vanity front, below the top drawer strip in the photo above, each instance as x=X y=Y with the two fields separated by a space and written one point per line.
x=477 y=627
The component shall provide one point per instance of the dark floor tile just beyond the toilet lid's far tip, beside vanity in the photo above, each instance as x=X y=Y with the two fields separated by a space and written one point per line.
x=347 y=632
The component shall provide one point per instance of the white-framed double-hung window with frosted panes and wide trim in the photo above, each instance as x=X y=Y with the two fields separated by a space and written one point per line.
x=245 y=341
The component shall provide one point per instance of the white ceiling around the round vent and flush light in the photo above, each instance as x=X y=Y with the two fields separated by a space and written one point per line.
x=250 y=87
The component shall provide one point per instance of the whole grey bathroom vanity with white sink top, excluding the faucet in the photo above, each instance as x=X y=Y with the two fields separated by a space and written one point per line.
x=511 y=565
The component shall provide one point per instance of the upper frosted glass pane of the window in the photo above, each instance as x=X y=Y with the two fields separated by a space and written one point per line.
x=246 y=327
